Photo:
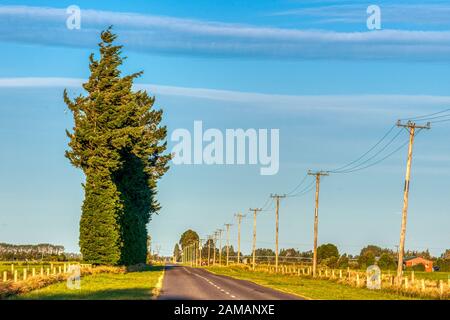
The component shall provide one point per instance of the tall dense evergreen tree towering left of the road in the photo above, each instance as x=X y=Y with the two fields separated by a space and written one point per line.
x=119 y=144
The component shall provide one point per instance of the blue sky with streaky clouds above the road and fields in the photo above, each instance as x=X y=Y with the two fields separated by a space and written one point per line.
x=309 y=68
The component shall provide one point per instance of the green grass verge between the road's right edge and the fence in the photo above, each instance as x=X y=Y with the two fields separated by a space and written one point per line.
x=308 y=288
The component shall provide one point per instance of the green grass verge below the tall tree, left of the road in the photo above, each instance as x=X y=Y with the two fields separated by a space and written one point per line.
x=103 y=286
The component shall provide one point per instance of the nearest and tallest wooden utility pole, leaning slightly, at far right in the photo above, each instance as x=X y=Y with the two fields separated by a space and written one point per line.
x=411 y=127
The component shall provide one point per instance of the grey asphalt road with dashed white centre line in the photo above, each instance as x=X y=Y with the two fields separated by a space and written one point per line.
x=184 y=283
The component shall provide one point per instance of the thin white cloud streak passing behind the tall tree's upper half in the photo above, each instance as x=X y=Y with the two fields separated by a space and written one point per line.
x=387 y=104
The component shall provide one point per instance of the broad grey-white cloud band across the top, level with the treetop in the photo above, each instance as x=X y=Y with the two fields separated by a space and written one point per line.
x=159 y=34
